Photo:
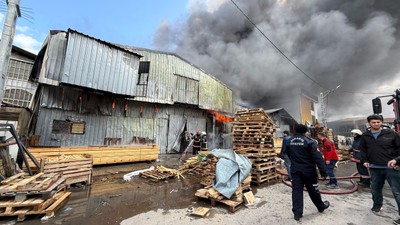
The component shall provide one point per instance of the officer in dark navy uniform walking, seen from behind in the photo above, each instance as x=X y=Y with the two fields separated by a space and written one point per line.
x=304 y=156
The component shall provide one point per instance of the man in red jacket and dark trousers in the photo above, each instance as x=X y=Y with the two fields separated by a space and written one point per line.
x=330 y=157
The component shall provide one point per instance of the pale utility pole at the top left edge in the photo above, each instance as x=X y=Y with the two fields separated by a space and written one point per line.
x=13 y=11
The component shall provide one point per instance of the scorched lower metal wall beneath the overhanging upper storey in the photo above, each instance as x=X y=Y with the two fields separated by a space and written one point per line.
x=147 y=120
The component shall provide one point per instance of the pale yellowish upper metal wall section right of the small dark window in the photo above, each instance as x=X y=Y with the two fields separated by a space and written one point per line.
x=173 y=79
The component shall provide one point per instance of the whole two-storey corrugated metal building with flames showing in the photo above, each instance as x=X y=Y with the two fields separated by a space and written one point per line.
x=96 y=93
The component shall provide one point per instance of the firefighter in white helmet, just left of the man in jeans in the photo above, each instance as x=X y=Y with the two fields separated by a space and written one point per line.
x=355 y=152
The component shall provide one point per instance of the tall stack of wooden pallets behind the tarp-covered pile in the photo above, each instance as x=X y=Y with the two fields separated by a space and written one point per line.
x=252 y=136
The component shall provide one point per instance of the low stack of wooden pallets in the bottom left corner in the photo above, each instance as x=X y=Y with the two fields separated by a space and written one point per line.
x=36 y=195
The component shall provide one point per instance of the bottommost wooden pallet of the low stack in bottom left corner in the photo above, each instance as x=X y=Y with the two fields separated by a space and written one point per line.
x=33 y=206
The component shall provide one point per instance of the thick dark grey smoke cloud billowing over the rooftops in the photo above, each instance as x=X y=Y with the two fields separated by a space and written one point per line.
x=351 y=43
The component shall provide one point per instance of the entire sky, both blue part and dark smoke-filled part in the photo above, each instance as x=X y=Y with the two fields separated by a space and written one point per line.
x=354 y=44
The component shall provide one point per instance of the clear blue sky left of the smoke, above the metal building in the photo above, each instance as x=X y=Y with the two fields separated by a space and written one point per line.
x=127 y=22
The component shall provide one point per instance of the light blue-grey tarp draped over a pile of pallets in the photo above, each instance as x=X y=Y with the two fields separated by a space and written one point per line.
x=231 y=171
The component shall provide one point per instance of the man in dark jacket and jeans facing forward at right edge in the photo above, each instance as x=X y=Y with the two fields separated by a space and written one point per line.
x=379 y=147
